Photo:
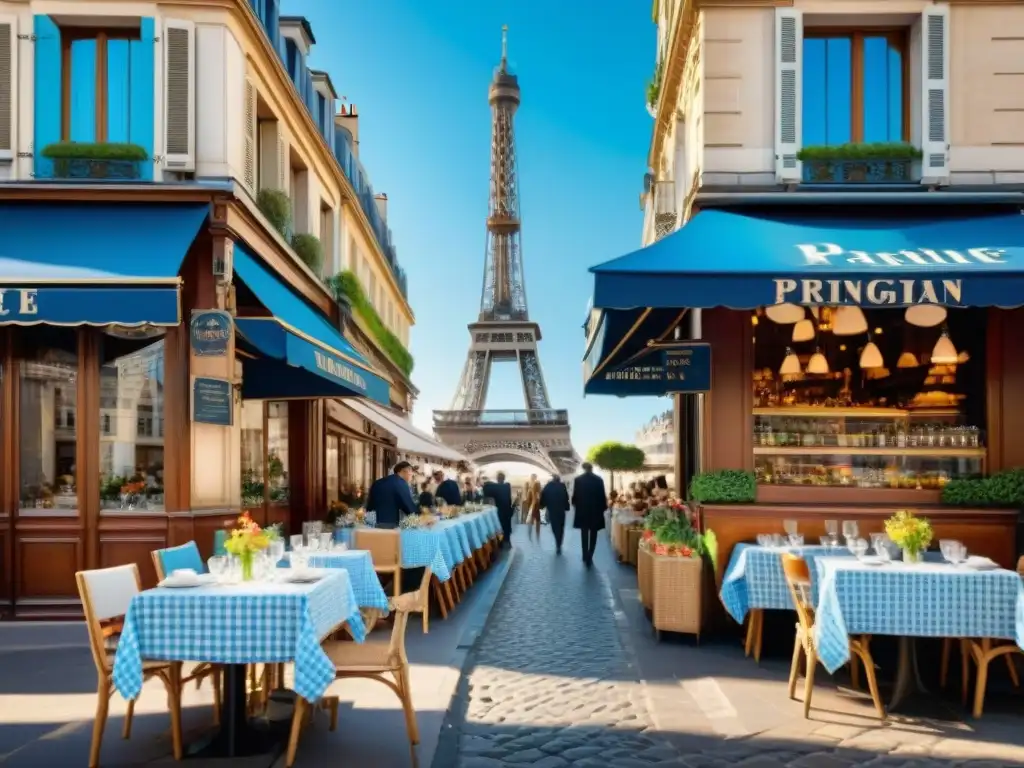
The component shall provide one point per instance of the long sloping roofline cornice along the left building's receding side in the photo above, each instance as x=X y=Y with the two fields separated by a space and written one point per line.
x=241 y=12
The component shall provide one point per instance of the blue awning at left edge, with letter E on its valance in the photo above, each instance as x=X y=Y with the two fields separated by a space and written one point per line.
x=87 y=265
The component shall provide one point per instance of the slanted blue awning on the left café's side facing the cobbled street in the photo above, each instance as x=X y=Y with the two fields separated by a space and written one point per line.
x=304 y=356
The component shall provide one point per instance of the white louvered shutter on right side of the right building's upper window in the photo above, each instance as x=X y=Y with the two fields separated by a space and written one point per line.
x=935 y=96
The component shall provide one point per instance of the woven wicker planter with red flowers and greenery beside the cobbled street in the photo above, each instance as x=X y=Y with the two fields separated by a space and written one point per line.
x=674 y=553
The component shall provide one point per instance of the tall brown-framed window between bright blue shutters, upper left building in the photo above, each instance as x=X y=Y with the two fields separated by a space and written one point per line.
x=98 y=66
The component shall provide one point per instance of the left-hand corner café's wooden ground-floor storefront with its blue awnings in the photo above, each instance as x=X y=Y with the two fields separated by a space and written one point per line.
x=151 y=354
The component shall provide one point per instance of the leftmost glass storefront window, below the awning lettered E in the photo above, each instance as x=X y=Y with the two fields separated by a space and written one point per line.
x=49 y=410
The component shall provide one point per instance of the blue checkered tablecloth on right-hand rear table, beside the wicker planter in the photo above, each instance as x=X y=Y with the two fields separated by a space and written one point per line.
x=755 y=578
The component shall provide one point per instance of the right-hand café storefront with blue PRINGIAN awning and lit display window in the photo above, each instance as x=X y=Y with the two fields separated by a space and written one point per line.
x=860 y=361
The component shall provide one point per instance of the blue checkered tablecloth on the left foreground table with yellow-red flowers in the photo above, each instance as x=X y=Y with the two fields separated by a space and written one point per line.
x=255 y=622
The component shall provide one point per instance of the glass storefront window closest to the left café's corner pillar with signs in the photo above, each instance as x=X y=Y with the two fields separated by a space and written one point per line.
x=132 y=424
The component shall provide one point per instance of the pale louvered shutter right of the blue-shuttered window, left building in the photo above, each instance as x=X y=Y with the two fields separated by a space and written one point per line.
x=180 y=93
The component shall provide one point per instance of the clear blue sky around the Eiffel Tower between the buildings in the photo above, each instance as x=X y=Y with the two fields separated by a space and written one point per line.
x=418 y=73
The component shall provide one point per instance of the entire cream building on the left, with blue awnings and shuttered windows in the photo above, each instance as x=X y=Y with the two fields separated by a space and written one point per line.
x=205 y=310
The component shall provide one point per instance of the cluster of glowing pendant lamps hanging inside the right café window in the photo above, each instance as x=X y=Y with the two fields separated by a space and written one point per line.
x=850 y=321
